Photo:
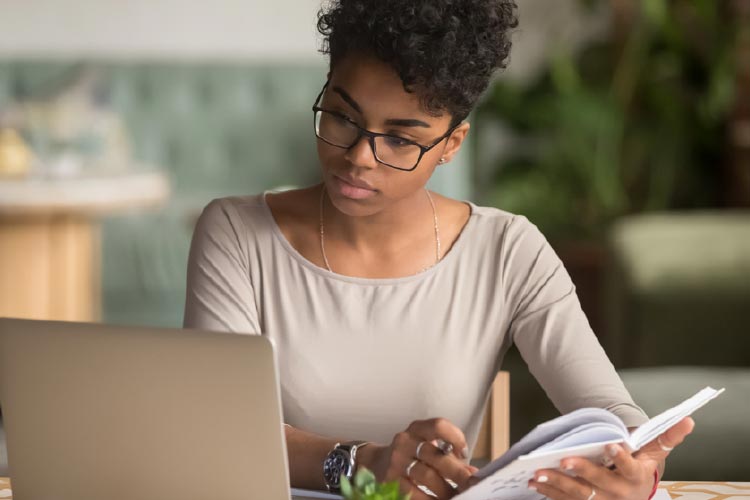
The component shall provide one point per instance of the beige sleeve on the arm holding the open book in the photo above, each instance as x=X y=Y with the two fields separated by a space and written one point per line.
x=551 y=331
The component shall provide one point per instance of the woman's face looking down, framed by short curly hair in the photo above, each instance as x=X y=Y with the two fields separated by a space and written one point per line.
x=371 y=94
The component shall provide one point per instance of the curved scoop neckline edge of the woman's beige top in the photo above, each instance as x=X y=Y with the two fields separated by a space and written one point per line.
x=301 y=259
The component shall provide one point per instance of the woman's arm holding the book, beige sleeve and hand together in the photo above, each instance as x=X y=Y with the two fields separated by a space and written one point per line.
x=556 y=341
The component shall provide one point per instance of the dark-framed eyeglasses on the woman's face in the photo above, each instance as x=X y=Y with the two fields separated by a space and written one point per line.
x=396 y=152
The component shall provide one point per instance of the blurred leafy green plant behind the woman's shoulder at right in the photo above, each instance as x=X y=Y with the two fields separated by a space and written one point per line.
x=633 y=122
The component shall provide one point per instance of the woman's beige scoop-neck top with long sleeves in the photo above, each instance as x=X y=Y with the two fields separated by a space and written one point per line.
x=362 y=358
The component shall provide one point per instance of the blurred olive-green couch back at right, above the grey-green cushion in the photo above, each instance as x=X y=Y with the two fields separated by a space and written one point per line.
x=679 y=290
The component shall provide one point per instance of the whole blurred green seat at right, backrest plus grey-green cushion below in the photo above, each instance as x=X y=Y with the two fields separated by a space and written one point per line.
x=679 y=318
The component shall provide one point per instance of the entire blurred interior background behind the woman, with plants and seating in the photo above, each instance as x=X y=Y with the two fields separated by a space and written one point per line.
x=621 y=128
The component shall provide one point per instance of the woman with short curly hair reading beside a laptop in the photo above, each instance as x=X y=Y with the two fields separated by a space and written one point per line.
x=392 y=307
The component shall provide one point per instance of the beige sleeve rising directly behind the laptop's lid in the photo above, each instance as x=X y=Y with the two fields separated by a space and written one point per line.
x=220 y=296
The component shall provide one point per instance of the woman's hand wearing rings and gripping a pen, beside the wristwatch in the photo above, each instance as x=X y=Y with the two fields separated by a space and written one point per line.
x=412 y=459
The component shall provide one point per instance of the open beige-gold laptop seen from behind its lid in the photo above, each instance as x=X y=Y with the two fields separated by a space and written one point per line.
x=98 y=412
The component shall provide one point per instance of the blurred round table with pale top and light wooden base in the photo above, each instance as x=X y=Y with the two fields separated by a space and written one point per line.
x=50 y=251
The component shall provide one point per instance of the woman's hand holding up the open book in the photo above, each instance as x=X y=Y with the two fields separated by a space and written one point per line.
x=632 y=478
